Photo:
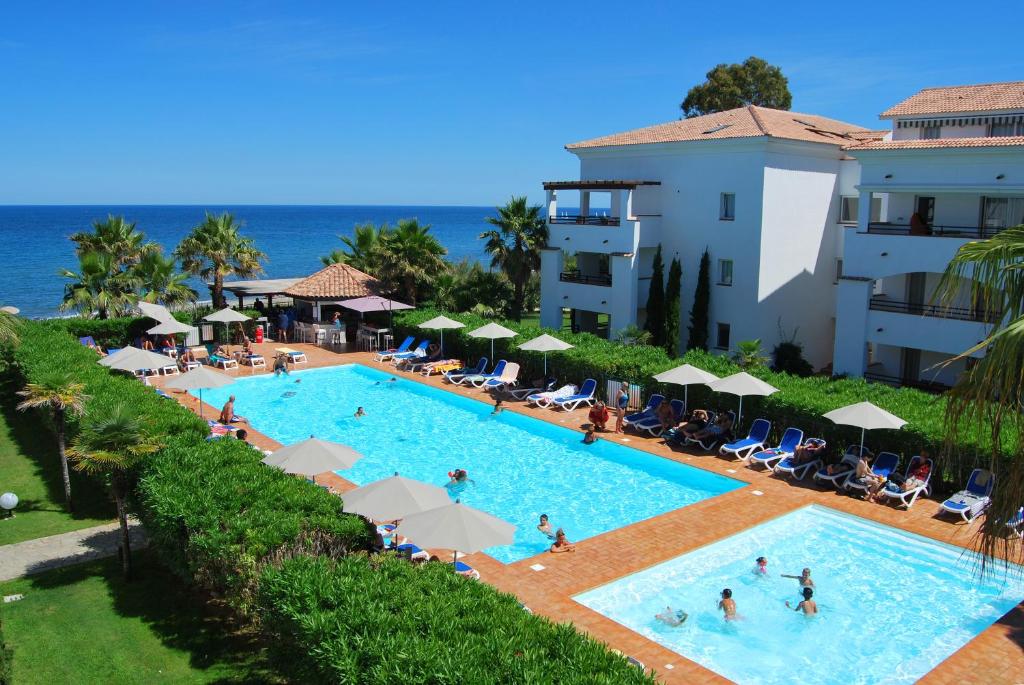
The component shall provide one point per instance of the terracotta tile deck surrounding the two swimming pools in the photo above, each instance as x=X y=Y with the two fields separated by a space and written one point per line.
x=997 y=656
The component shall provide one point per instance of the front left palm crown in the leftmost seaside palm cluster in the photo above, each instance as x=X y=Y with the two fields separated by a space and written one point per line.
x=100 y=286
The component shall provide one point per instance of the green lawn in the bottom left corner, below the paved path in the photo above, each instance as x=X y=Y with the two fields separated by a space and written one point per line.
x=86 y=625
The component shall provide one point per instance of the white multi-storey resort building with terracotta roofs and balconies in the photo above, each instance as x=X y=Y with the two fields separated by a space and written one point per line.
x=809 y=224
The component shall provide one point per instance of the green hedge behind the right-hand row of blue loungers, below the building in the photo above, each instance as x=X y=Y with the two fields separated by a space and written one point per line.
x=800 y=402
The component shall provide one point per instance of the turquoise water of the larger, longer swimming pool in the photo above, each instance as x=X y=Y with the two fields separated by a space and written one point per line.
x=523 y=467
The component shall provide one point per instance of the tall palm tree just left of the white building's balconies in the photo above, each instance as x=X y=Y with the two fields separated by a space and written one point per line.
x=516 y=245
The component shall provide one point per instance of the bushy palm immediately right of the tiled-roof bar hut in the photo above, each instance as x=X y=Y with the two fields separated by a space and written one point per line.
x=408 y=259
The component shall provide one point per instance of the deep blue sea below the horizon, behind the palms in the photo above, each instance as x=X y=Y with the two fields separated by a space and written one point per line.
x=34 y=240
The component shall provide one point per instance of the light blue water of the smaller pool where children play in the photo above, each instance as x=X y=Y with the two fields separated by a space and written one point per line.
x=892 y=606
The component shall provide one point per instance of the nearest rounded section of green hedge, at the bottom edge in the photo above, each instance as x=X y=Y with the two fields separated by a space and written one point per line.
x=386 y=621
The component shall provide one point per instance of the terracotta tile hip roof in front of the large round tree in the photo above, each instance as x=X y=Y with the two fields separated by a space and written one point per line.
x=749 y=122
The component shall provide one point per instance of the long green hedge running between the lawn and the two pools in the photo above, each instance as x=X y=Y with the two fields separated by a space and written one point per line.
x=281 y=552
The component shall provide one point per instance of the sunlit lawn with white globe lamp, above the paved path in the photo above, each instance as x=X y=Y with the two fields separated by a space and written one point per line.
x=30 y=469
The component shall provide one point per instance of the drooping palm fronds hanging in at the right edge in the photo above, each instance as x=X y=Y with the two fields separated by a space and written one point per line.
x=989 y=399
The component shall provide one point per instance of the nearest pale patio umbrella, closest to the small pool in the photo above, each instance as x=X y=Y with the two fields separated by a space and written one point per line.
x=458 y=528
